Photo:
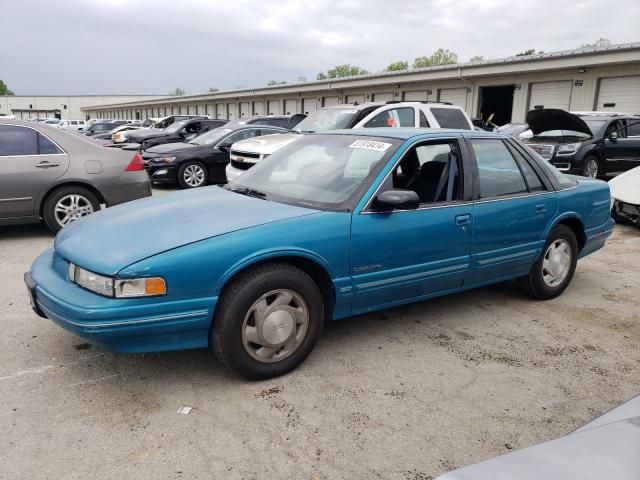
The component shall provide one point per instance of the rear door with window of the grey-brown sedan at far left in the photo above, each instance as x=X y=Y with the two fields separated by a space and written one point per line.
x=29 y=161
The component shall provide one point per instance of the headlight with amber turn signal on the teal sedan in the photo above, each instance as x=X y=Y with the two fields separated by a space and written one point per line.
x=119 y=288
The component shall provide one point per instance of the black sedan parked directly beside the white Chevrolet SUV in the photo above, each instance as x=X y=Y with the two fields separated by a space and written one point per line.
x=202 y=160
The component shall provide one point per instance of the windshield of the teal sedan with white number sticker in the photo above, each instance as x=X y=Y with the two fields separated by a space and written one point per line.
x=326 y=172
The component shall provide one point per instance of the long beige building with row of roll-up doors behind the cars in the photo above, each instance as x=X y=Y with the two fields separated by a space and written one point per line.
x=584 y=79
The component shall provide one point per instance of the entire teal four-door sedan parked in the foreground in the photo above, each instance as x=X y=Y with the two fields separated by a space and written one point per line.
x=334 y=224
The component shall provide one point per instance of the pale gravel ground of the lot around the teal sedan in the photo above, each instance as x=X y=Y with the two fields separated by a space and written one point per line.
x=406 y=393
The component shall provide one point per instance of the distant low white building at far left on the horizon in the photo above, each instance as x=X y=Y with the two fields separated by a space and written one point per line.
x=44 y=106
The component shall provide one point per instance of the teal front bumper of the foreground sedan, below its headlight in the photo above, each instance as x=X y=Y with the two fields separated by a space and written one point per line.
x=118 y=325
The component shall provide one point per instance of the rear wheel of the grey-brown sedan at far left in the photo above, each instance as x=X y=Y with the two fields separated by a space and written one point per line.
x=77 y=201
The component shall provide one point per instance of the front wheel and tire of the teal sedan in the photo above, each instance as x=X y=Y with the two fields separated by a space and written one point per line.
x=235 y=333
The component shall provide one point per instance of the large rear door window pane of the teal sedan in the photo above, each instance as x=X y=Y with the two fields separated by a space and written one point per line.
x=497 y=169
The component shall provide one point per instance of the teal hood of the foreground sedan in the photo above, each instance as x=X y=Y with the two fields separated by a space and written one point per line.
x=112 y=239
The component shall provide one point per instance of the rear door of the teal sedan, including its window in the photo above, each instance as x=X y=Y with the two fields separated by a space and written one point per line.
x=511 y=213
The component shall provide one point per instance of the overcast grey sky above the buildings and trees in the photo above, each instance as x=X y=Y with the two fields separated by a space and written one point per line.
x=81 y=47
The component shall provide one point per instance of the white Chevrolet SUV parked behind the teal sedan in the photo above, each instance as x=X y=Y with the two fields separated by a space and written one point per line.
x=246 y=153
